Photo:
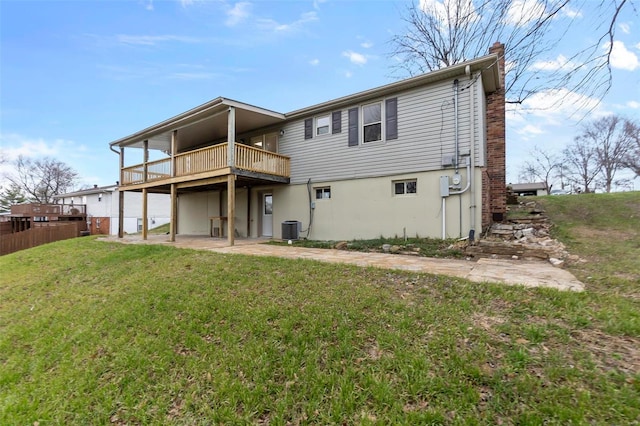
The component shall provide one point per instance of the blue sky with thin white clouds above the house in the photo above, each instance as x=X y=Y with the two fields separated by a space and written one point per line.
x=76 y=75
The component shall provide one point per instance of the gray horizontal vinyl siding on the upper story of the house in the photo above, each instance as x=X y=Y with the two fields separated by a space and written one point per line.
x=425 y=136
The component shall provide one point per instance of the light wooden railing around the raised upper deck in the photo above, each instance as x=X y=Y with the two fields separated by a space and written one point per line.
x=207 y=160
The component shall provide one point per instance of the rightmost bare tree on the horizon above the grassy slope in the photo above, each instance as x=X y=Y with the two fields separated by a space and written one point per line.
x=612 y=140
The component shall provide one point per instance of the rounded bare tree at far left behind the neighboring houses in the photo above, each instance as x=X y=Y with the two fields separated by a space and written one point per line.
x=41 y=179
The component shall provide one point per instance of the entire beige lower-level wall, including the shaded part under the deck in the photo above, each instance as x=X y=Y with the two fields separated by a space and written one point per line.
x=357 y=209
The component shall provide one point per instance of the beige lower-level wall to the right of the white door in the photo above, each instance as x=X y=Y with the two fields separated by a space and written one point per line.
x=368 y=208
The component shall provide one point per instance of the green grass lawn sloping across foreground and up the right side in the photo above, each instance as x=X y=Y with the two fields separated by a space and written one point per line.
x=103 y=333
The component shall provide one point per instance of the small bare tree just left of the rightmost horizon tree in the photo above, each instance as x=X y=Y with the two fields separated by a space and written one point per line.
x=581 y=164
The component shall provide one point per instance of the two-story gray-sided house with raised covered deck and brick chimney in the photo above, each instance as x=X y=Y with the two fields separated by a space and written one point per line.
x=423 y=156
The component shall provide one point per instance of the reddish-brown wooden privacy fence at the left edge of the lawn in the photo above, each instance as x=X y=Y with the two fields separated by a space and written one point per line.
x=39 y=235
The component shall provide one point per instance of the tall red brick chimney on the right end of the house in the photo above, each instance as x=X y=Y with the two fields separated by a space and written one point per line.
x=494 y=186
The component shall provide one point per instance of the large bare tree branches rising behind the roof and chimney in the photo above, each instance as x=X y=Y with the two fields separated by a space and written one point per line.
x=445 y=32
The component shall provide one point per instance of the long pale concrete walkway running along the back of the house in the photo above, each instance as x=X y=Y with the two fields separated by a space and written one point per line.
x=512 y=272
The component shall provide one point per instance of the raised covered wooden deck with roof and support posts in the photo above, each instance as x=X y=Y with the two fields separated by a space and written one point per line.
x=211 y=146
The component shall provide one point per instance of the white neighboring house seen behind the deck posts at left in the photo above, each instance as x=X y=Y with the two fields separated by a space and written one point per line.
x=102 y=208
